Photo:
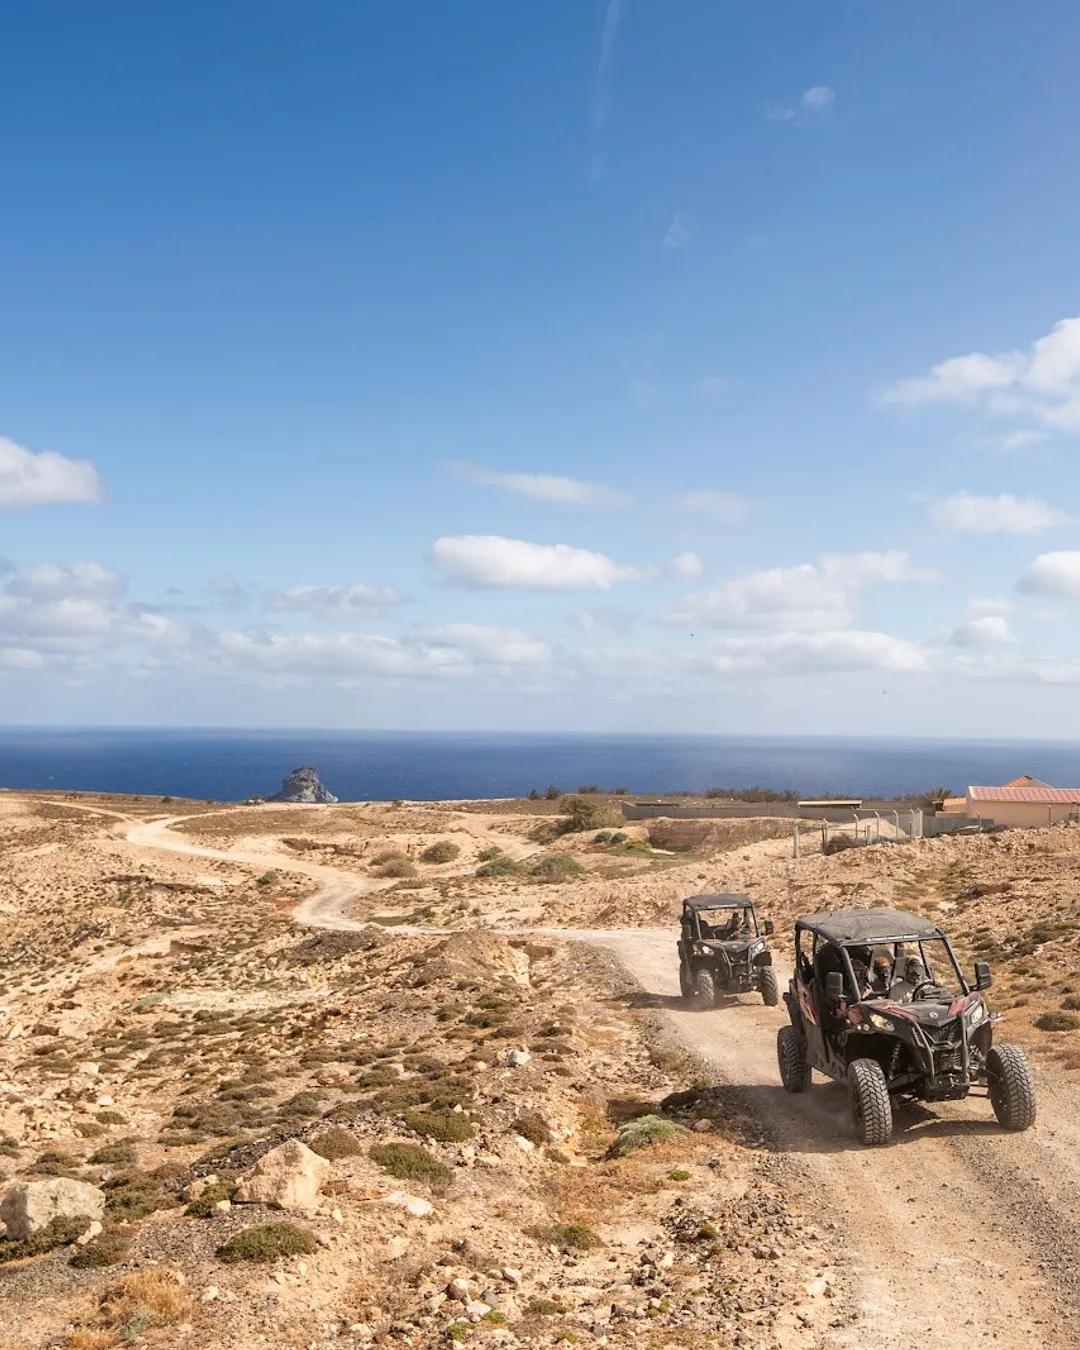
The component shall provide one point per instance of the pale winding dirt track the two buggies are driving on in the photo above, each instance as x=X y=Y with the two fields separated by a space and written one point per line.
x=956 y=1235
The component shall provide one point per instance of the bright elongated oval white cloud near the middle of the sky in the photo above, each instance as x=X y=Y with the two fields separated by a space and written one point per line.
x=493 y=562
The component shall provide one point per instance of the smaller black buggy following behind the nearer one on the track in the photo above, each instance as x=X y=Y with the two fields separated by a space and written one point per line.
x=723 y=951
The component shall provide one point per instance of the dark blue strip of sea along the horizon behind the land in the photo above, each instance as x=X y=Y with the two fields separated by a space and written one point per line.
x=357 y=766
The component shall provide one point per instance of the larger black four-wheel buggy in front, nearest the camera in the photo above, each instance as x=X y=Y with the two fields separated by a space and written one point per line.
x=880 y=1001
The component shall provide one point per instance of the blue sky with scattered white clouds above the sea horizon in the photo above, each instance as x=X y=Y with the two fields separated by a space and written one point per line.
x=591 y=365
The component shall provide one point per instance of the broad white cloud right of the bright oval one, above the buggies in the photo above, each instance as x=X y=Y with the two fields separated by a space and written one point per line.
x=805 y=599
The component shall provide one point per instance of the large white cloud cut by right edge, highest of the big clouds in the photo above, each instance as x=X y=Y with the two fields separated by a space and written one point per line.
x=1040 y=387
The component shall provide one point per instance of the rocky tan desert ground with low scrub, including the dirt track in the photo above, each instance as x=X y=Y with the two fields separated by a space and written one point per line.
x=338 y=1077
